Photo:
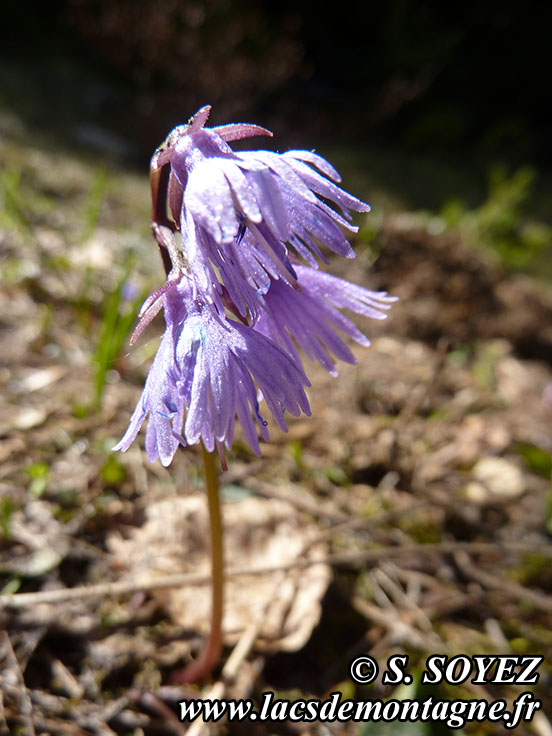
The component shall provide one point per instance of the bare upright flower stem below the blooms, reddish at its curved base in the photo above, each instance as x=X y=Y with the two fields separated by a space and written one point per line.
x=210 y=655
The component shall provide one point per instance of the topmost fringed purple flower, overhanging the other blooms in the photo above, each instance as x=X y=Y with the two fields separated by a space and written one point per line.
x=238 y=212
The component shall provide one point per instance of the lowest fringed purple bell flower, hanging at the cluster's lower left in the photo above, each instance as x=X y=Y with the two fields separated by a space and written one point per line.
x=208 y=370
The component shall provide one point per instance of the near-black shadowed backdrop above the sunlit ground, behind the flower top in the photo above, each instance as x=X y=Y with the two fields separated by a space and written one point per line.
x=422 y=77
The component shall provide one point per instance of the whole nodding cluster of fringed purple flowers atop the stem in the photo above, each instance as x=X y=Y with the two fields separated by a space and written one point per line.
x=238 y=302
